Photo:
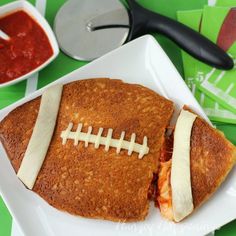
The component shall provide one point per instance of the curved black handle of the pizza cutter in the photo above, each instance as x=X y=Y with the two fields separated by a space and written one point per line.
x=144 y=21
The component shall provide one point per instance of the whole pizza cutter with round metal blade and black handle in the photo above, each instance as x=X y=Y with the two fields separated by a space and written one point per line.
x=88 y=29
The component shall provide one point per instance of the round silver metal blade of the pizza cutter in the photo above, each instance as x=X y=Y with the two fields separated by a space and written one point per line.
x=75 y=32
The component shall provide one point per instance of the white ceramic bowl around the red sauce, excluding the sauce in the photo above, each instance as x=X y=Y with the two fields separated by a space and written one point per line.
x=34 y=13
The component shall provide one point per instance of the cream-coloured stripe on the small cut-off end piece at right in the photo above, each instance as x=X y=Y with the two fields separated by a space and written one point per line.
x=182 y=200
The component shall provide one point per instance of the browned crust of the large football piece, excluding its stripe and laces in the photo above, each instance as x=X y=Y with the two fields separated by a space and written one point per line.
x=85 y=181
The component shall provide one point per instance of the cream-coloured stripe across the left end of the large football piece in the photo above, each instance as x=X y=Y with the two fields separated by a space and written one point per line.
x=41 y=136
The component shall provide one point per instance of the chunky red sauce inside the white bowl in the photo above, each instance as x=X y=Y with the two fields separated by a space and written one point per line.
x=27 y=48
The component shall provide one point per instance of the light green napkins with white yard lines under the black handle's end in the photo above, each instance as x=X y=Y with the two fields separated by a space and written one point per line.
x=219 y=85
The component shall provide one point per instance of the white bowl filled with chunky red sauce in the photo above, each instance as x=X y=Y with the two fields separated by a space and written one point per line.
x=32 y=44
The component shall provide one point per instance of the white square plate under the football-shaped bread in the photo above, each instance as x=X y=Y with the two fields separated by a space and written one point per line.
x=141 y=61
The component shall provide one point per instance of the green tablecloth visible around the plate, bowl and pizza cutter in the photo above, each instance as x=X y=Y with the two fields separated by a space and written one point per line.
x=63 y=65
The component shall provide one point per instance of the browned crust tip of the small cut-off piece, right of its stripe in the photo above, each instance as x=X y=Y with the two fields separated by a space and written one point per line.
x=212 y=158
